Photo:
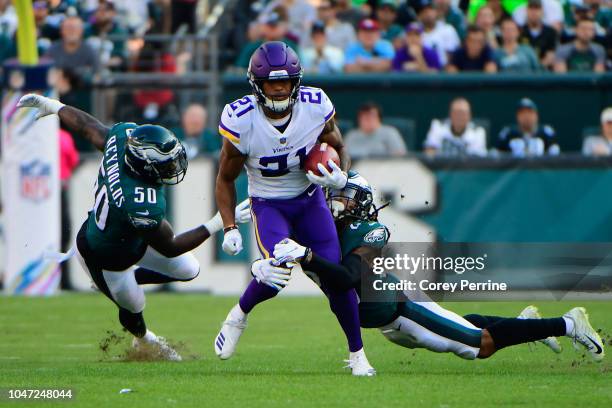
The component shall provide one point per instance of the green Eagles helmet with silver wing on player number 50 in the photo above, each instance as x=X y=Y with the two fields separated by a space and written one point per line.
x=155 y=154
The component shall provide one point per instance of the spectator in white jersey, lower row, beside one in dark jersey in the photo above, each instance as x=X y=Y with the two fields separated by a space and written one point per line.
x=457 y=135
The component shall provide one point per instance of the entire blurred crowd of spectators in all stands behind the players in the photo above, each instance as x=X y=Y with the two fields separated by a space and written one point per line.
x=86 y=38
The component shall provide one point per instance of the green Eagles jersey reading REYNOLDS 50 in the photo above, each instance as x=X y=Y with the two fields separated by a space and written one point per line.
x=124 y=206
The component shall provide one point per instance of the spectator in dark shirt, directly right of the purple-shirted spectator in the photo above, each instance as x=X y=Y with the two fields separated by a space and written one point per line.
x=475 y=55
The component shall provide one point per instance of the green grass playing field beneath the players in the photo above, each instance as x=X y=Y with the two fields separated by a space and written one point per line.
x=291 y=355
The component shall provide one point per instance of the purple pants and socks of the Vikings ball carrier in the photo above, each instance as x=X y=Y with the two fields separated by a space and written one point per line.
x=306 y=219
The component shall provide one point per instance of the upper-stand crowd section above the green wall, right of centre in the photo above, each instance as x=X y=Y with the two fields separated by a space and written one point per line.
x=520 y=36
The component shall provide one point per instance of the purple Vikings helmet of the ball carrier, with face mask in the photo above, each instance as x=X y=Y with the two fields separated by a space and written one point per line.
x=275 y=60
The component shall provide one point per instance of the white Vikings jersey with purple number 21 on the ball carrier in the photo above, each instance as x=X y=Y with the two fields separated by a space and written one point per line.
x=275 y=159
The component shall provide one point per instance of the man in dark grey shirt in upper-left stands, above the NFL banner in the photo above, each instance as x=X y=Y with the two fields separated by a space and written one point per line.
x=71 y=53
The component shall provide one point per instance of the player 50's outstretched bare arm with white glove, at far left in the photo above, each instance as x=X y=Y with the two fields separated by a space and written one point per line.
x=75 y=120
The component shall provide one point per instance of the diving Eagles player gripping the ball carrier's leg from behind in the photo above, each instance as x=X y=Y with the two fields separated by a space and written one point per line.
x=415 y=324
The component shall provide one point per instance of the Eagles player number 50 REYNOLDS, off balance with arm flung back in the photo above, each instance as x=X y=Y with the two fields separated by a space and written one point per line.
x=126 y=240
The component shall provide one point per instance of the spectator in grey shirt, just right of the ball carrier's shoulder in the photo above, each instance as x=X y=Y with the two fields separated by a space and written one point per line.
x=372 y=138
